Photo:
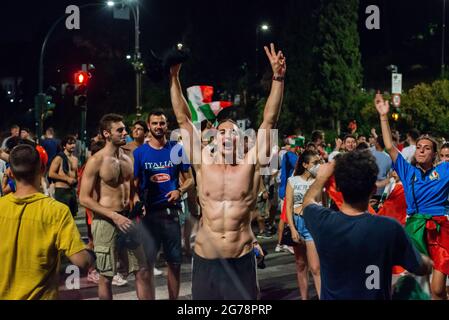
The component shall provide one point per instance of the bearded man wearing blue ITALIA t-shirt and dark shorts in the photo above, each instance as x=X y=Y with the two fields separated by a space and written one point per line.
x=157 y=167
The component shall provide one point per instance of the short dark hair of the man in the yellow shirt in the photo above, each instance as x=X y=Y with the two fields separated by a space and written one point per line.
x=25 y=162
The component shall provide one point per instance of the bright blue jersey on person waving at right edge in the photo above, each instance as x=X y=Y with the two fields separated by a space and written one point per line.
x=431 y=188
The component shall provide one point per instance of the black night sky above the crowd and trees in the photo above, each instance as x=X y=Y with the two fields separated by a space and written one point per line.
x=410 y=36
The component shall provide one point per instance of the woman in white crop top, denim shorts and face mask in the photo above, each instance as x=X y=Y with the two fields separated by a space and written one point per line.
x=306 y=255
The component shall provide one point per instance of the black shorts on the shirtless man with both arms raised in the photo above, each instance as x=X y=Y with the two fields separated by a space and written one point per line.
x=225 y=279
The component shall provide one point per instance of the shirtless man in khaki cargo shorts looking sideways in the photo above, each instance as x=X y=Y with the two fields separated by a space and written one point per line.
x=109 y=172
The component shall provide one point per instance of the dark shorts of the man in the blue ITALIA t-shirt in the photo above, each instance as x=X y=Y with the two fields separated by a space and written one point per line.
x=162 y=228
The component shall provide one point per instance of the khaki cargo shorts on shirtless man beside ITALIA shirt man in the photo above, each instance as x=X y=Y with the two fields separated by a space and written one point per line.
x=105 y=235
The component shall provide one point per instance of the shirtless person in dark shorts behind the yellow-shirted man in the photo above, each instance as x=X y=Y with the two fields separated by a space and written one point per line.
x=63 y=171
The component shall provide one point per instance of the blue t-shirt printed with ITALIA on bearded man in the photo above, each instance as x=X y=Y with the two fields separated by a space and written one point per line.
x=158 y=172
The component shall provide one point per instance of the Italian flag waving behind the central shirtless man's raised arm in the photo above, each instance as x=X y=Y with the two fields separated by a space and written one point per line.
x=201 y=105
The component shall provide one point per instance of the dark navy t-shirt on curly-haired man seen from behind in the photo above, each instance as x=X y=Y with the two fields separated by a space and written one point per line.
x=357 y=253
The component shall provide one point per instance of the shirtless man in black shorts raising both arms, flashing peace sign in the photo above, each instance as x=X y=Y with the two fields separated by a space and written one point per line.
x=224 y=265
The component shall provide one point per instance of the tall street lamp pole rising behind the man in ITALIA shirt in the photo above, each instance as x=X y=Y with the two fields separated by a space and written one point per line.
x=137 y=63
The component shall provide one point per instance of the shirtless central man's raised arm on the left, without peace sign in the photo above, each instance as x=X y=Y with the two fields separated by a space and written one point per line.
x=182 y=113
